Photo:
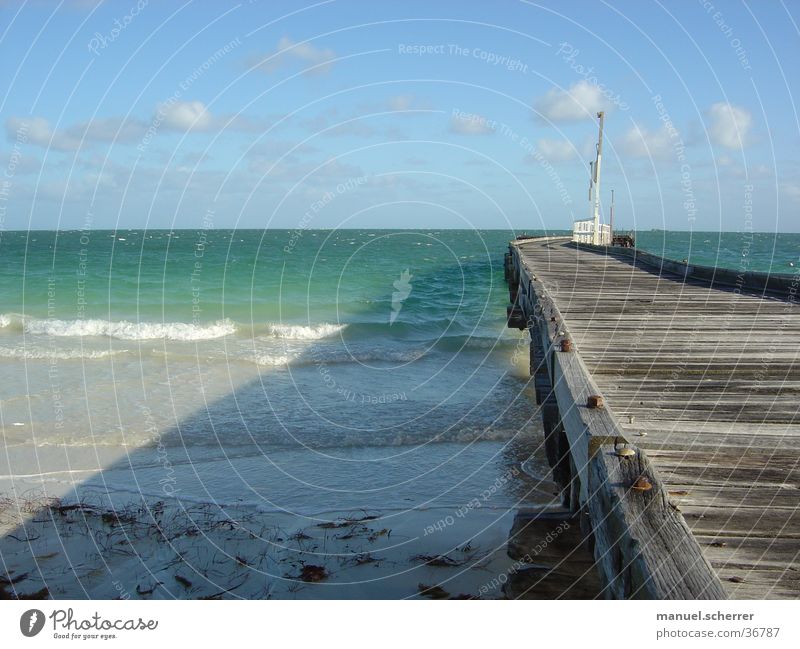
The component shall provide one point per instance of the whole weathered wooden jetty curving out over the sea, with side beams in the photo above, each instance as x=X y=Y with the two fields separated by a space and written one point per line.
x=670 y=397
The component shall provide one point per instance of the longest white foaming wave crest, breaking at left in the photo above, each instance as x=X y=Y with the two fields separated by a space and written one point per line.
x=125 y=330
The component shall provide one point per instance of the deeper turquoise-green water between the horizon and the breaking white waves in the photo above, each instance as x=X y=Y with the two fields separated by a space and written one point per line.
x=253 y=278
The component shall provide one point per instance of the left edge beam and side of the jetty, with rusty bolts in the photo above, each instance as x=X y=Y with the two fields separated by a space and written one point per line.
x=642 y=545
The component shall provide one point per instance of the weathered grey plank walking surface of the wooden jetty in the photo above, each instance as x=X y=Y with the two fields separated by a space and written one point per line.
x=705 y=379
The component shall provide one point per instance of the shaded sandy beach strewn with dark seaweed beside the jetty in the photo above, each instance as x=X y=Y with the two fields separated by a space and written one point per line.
x=163 y=550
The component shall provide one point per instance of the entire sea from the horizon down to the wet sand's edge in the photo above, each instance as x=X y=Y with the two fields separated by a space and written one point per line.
x=297 y=370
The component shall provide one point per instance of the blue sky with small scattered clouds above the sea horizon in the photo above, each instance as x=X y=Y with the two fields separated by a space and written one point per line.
x=397 y=114
